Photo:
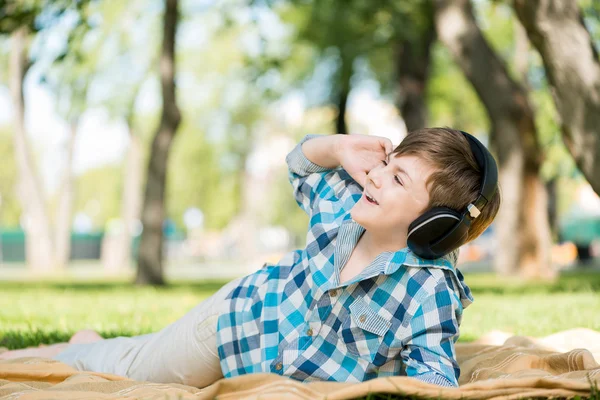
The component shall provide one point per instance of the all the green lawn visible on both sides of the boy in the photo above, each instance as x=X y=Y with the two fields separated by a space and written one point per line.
x=48 y=312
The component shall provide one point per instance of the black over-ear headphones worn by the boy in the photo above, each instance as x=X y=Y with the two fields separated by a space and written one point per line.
x=441 y=229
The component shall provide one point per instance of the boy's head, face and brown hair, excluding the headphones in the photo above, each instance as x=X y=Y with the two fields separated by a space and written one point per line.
x=432 y=167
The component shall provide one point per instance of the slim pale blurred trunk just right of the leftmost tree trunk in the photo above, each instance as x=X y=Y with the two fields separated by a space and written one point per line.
x=64 y=212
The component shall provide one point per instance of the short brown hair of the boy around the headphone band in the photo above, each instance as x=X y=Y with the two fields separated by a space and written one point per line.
x=457 y=179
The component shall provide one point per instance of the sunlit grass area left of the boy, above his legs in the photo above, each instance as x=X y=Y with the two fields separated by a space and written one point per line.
x=50 y=312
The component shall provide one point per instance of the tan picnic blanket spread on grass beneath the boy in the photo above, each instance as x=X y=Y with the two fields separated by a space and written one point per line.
x=495 y=367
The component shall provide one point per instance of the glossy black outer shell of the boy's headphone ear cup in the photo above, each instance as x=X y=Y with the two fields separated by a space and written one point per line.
x=426 y=230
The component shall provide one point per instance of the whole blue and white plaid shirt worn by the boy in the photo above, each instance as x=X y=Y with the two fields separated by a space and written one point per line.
x=399 y=316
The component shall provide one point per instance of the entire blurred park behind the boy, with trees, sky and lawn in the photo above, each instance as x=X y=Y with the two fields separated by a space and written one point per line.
x=144 y=142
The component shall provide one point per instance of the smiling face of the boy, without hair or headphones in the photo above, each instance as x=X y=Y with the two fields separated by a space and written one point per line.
x=397 y=187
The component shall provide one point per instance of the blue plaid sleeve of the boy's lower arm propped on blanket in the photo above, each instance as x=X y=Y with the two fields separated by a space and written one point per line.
x=429 y=353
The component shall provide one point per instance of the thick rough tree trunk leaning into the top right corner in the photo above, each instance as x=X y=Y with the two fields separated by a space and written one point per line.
x=556 y=29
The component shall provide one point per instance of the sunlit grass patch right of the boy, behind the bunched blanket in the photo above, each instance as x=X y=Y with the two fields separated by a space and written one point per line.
x=532 y=309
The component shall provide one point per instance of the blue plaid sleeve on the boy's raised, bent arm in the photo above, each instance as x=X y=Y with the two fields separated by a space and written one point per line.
x=311 y=182
